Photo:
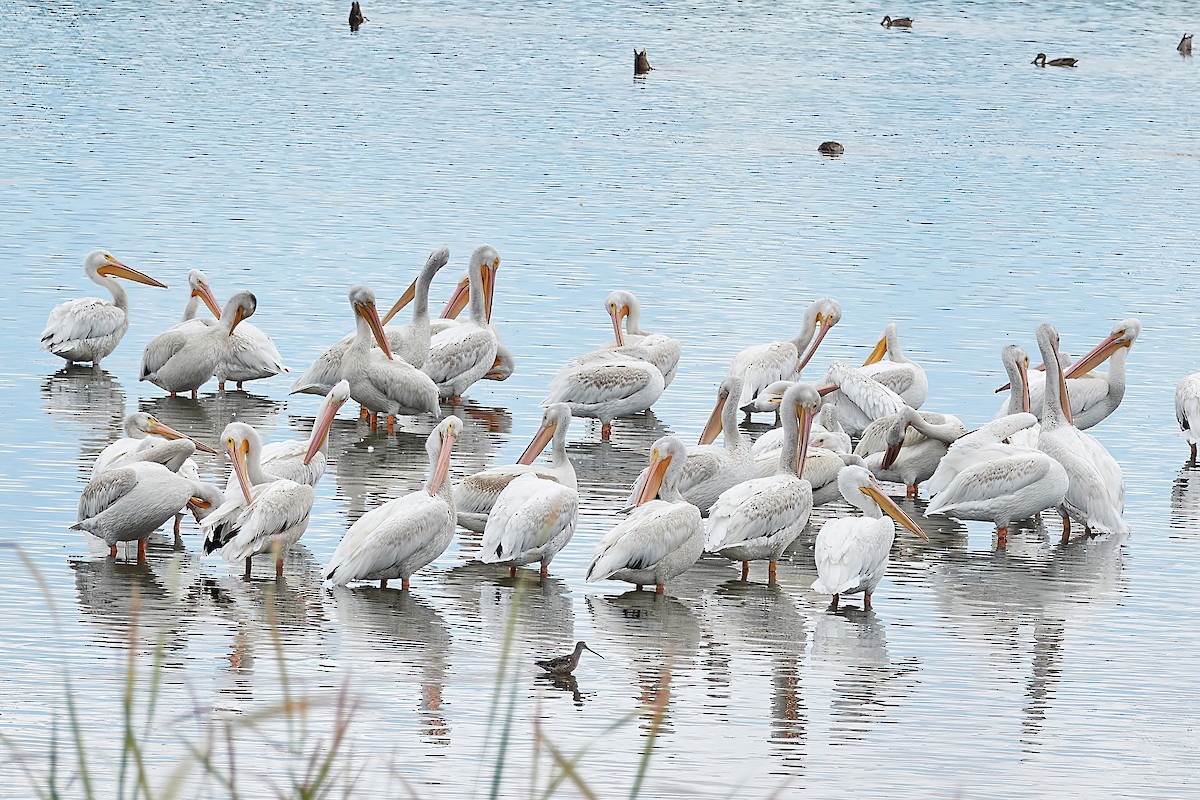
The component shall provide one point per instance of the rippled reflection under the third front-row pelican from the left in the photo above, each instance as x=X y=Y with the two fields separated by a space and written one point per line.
x=401 y=631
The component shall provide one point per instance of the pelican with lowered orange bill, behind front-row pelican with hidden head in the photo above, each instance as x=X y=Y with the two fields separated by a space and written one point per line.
x=477 y=495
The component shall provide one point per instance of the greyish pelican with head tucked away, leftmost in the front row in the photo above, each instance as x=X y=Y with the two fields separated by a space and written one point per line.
x=129 y=503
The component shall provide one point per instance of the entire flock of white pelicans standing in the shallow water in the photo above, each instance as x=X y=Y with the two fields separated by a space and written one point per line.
x=757 y=497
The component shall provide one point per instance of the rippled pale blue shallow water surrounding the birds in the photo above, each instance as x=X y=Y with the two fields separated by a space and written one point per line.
x=979 y=196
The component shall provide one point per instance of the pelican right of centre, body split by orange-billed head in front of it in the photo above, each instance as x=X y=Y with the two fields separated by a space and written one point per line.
x=712 y=470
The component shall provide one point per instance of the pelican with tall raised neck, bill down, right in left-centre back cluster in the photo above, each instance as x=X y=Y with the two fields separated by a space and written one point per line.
x=466 y=353
